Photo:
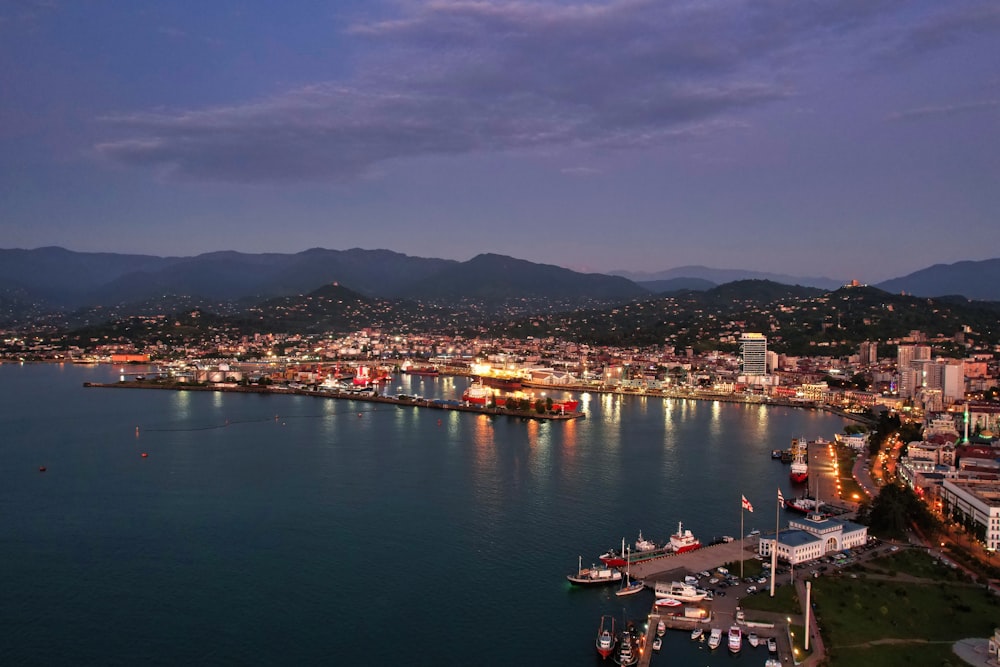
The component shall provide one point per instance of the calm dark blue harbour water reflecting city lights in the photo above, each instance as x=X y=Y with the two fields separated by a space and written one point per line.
x=279 y=530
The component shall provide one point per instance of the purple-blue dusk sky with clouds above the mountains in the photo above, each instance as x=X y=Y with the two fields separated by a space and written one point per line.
x=850 y=139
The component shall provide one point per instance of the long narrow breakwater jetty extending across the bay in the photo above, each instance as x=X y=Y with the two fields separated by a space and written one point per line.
x=367 y=397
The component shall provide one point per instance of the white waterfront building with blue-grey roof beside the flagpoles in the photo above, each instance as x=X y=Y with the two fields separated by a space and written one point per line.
x=813 y=537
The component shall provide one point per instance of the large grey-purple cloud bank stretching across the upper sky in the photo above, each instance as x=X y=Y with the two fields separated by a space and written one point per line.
x=452 y=77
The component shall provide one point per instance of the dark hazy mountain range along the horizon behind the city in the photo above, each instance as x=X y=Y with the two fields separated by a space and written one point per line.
x=52 y=279
